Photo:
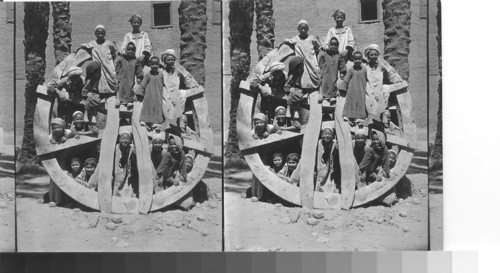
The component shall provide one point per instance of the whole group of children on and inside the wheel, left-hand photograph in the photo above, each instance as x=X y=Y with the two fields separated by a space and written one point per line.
x=130 y=73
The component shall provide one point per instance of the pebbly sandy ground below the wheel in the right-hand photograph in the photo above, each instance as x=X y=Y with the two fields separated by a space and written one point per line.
x=258 y=226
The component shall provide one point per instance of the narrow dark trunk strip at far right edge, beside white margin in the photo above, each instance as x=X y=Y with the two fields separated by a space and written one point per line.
x=437 y=150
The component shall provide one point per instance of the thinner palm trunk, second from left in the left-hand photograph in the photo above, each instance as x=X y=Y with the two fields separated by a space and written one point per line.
x=62 y=30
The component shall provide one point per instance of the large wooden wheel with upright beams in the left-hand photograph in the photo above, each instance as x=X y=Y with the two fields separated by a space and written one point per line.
x=103 y=199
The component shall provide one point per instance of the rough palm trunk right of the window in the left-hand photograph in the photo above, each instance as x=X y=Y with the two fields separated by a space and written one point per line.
x=193 y=26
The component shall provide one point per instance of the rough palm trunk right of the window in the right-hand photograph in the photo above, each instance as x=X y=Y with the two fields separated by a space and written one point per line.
x=397 y=22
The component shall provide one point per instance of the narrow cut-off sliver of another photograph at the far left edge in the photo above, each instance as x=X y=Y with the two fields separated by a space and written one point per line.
x=7 y=163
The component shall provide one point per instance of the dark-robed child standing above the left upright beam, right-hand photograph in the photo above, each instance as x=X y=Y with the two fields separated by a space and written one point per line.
x=331 y=64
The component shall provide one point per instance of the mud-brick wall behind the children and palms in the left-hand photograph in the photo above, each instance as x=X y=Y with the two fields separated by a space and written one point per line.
x=114 y=16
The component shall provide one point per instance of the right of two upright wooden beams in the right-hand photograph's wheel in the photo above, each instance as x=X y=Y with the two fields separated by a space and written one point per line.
x=347 y=161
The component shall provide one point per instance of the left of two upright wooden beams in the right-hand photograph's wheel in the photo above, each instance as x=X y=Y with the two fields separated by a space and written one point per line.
x=308 y=157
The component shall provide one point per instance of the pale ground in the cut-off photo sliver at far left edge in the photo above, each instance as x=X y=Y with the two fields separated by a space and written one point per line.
x=7 y=204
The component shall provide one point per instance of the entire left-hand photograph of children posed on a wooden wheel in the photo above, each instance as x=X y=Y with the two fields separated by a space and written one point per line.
x=118 y=125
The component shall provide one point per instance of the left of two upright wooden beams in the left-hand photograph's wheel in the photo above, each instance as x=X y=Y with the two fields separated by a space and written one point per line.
x=107 y=156
